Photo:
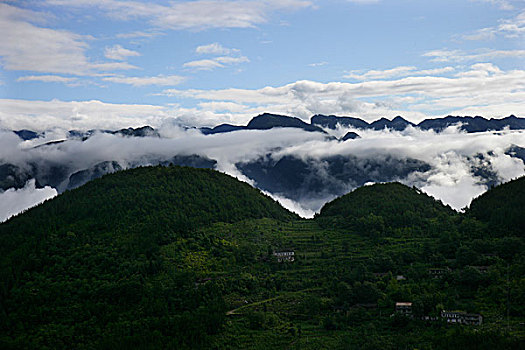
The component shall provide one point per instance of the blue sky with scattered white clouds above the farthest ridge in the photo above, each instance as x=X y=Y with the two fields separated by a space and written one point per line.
x=84 y=64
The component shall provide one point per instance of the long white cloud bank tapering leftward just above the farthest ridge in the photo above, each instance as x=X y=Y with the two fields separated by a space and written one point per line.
x=416 y=97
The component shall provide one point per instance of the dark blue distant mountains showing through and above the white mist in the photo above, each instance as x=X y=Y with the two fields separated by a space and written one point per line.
x=300 y=178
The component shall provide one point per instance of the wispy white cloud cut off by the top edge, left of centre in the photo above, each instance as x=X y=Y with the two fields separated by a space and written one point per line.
x=192 y=15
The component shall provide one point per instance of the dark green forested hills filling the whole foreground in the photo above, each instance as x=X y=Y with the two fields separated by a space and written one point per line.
x=176 y=257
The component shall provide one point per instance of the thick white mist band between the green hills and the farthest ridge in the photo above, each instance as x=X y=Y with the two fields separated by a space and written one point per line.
x=457 y=166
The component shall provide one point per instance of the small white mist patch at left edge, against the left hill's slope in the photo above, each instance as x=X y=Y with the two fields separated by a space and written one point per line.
x=14 y=201
